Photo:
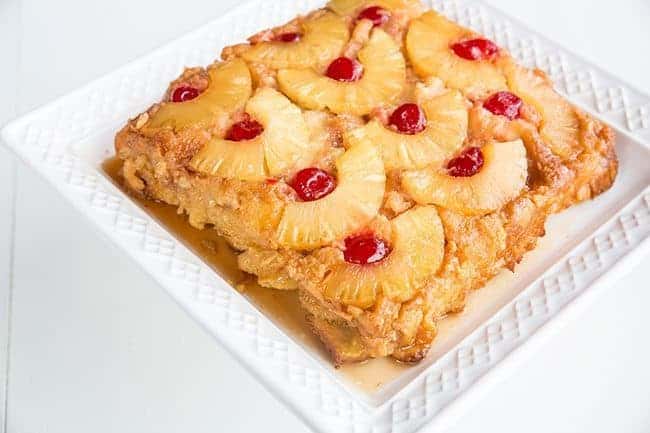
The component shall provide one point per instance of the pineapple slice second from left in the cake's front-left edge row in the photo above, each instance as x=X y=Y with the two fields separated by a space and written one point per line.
x=284 y=144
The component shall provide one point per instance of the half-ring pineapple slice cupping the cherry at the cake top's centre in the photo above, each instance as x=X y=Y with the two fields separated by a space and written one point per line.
x=444 y=134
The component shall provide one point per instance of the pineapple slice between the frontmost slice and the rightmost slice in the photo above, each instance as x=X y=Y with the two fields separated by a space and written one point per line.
x=501 y=179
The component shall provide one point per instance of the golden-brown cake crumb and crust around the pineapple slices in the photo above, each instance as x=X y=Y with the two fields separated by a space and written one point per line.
x=476 y=248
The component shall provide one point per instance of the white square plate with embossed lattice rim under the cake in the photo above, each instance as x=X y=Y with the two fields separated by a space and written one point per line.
x=67 y=141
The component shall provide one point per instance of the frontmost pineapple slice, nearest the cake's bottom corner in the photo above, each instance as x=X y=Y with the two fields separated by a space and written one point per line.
x=418 y=243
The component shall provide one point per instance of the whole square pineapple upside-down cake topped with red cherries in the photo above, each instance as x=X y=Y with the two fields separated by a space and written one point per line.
x=377 y=158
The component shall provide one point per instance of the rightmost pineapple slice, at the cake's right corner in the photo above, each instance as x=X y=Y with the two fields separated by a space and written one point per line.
x=560 y=127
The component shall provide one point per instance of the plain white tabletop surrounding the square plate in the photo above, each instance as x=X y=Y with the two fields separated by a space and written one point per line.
x=77 y=353
